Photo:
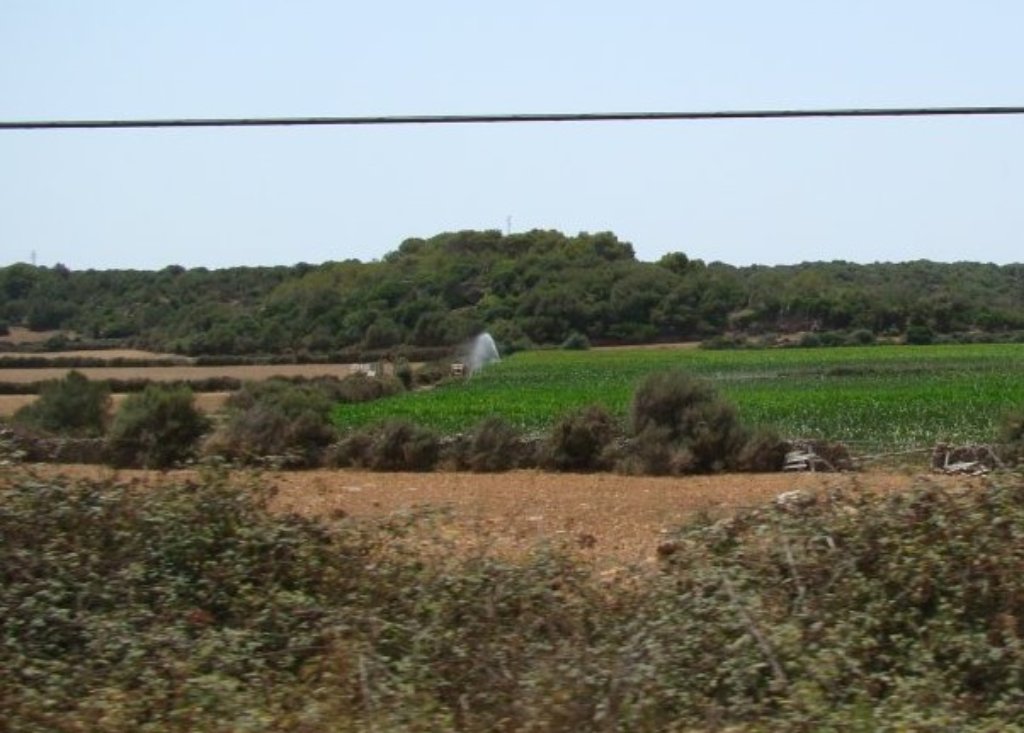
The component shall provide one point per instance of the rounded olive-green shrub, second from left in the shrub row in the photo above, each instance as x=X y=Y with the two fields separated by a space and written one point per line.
x=156 y=428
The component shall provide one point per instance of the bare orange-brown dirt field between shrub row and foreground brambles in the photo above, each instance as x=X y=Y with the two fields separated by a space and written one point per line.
x=619 y=521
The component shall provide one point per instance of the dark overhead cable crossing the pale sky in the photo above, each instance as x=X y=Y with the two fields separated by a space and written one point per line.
x=506 y=119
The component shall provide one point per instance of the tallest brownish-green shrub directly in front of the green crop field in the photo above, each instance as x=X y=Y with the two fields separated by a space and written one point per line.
x=680 y=425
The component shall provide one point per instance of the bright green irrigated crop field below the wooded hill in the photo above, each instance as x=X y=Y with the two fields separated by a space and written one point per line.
x=885 y=398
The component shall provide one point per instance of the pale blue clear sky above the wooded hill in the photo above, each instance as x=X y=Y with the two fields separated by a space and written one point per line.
x=737 y=192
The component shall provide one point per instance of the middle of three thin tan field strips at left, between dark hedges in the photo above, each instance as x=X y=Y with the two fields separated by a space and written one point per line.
x=173 y=374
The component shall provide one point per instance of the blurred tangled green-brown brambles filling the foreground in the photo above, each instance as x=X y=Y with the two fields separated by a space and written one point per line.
x=193 y=608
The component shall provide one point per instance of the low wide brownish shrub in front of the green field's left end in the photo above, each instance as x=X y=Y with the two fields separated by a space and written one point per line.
x=394 y=446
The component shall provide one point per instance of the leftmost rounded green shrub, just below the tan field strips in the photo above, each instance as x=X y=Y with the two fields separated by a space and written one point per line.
x=72 y=406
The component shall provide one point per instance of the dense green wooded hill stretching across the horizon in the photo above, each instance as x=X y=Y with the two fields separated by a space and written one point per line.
x=530 y=289
